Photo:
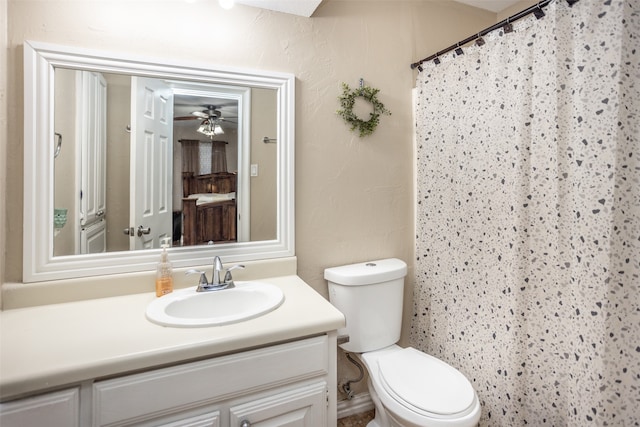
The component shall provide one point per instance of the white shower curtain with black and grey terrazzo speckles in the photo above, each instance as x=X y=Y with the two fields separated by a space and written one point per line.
x=528 y=217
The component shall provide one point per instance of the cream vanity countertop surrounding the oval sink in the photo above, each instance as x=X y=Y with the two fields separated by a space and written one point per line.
x=51 y=346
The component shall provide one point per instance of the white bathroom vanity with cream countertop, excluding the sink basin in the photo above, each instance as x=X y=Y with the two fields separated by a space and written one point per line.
x=275 y=370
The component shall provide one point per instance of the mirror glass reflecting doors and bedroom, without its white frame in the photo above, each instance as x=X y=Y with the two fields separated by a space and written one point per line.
x=102 y=134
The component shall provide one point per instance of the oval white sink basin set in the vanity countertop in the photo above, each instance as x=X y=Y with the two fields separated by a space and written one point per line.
x=187 y=308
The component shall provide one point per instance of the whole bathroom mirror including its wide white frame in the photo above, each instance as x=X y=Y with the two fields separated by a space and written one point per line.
x=254 y=109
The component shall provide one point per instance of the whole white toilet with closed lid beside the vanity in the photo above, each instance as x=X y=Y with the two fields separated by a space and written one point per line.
x=408 y=387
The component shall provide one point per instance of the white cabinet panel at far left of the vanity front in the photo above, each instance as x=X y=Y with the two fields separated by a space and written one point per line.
x=59 y=409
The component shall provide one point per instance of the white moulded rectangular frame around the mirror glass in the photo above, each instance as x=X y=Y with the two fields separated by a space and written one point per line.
x=39 y=264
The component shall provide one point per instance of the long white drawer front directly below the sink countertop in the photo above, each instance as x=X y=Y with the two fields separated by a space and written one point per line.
x=143 y=396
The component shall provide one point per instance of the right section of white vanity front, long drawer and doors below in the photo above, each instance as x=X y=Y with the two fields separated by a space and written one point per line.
x=285 y=384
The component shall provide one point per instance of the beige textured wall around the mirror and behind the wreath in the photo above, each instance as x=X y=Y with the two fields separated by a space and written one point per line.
x=354 y=197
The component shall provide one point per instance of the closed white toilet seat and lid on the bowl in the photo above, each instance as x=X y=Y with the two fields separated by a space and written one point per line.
x=425 y=385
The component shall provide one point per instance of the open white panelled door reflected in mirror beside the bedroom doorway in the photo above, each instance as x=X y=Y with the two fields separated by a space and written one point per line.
x=151 y=162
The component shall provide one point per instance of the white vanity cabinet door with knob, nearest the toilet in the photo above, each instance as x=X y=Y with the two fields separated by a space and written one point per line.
x=304 y=406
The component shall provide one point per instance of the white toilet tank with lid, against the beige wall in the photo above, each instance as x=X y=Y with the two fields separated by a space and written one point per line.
x=370 y=296
